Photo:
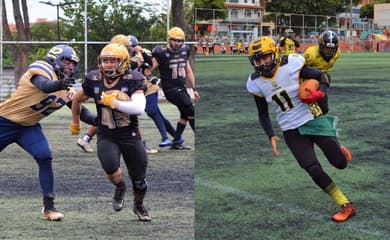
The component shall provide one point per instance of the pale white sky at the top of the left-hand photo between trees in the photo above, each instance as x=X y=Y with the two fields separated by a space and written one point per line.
x=41 y=10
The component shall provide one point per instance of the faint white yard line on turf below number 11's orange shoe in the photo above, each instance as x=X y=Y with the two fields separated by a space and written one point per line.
x=287 y=207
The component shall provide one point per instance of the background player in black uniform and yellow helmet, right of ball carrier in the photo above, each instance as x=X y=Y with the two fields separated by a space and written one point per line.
x=176 y=74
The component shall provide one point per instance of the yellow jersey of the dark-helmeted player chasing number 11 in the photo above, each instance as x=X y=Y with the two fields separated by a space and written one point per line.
x=313 y=58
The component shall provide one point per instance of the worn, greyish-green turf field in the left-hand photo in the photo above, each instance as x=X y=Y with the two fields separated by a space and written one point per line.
x=84 y=194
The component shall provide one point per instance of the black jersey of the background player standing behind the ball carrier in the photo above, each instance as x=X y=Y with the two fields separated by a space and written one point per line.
x=172 y=66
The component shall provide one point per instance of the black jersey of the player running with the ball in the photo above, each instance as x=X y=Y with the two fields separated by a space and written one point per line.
x=110 y=121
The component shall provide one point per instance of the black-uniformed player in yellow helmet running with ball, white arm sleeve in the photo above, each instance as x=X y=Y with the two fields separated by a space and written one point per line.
x=118 y=133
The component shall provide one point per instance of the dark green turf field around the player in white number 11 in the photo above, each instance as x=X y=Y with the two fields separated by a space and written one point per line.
x=243 y=192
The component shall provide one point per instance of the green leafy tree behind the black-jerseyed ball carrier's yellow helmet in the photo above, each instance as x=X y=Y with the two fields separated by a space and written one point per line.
x=106 y=19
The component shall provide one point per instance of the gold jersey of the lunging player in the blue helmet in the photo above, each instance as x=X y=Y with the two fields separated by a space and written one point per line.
x=28 y=104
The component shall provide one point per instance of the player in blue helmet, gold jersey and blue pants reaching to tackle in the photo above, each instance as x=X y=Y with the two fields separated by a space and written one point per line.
x=43 y=89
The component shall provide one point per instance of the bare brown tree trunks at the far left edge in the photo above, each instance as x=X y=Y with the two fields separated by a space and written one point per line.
x=20 y=52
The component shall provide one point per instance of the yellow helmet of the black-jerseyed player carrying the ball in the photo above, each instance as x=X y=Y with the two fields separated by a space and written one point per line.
x=114 y=51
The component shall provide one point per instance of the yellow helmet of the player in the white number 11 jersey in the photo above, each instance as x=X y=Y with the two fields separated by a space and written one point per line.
x=260 y=47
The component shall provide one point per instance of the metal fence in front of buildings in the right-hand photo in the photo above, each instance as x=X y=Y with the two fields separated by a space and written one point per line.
x=244 y=25
